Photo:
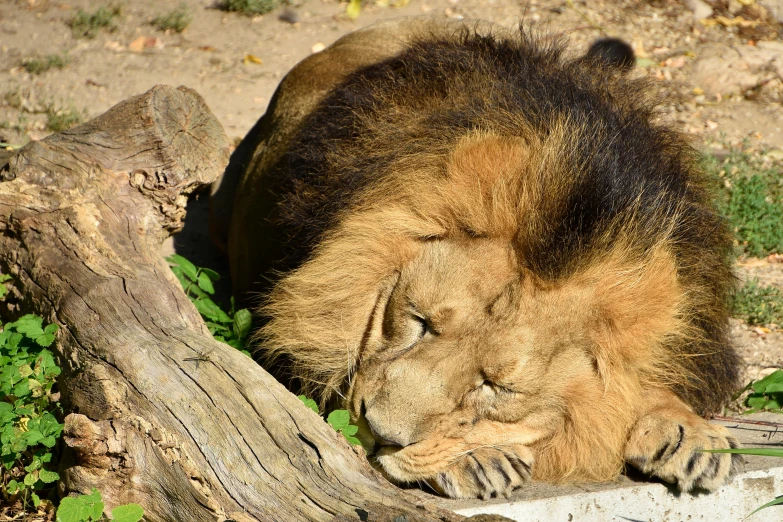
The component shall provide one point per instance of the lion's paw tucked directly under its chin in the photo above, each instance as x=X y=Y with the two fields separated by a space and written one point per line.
x=486 y=473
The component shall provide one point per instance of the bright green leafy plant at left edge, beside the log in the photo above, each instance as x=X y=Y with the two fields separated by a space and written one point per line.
x=29 y=428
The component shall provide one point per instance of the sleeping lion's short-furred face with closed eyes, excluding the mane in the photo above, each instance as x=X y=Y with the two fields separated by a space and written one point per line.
x=465 y=351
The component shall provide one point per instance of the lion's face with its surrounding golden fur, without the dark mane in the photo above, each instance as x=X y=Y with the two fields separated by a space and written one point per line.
x=443 y=341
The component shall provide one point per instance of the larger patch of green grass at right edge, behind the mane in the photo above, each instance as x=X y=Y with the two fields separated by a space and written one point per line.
x=750 y=195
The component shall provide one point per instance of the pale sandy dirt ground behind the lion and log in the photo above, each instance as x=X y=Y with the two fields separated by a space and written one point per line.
x=717 y=63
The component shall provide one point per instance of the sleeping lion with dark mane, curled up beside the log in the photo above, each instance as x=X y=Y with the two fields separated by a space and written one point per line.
x=495 y=257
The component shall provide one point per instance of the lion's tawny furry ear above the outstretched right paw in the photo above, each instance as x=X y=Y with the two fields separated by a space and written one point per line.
x=636 y=306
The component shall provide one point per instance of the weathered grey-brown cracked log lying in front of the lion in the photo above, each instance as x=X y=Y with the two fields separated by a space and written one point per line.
x=160 y=413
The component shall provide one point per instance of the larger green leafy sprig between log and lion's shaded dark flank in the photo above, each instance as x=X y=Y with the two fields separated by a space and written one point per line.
x=230 y=327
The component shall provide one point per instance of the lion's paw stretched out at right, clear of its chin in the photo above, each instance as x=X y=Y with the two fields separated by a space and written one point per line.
x=668 y=448
